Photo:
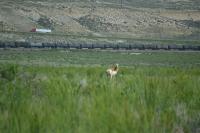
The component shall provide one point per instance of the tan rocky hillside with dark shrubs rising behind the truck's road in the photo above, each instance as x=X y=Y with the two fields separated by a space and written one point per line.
x=161 y=19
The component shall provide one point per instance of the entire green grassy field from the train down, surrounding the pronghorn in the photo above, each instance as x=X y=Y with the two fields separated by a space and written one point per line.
x=67 y=91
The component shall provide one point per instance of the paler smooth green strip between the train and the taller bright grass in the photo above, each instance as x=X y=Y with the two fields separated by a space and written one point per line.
x=58 y=57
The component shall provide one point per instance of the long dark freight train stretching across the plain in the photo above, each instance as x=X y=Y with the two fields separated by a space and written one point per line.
x=125 y=46
